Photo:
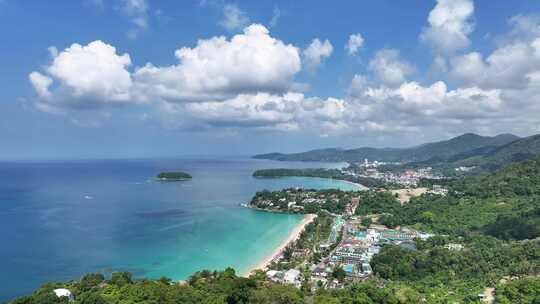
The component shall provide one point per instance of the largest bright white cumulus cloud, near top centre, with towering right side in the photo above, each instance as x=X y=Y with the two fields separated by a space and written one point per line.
x=217 y=67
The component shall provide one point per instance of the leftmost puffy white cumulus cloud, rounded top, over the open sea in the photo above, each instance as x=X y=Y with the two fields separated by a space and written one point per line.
x=85 y=76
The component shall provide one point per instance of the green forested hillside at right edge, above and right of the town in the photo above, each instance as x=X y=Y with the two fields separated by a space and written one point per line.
x=504 y=204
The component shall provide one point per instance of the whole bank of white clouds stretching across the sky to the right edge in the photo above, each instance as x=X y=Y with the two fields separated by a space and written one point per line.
x=248 y=81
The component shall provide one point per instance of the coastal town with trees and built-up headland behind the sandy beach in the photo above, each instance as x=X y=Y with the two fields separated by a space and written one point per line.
x=336 y=247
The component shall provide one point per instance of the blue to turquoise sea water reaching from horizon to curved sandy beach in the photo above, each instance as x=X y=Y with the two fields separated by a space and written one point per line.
x=62 y=219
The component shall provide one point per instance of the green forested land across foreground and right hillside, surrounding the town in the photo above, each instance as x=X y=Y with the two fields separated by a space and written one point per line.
x=485 y=241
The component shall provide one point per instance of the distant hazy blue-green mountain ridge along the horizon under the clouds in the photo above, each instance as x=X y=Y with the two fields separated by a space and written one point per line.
x=463 y=147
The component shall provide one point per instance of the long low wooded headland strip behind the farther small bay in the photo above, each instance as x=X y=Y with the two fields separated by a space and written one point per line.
x=317 y=172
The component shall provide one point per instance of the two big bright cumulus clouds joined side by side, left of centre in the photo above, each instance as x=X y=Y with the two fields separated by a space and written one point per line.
x=216 y=68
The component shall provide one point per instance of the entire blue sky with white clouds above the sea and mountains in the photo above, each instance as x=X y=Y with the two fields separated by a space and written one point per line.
x=85 y=79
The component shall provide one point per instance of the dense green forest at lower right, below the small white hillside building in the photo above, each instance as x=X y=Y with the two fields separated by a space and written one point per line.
x=436 y=270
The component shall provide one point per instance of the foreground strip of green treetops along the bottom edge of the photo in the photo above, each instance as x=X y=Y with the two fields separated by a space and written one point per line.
x=223 y=287
